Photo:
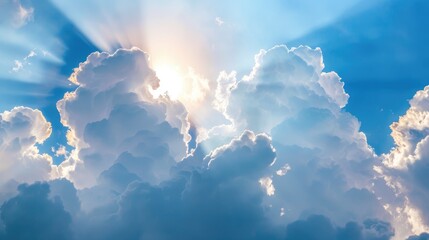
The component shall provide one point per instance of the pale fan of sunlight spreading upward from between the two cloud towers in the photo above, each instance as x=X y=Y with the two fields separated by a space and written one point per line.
x=204 y=36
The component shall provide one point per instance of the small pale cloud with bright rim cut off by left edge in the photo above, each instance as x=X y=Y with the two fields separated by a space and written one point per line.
x=21 y=129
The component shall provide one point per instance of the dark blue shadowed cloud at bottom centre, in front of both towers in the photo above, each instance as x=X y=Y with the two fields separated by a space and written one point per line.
x=221 y=200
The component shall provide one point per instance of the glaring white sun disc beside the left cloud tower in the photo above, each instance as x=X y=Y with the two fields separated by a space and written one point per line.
x=171 y=81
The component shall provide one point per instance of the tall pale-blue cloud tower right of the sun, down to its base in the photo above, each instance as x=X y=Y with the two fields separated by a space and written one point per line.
x=324 y=164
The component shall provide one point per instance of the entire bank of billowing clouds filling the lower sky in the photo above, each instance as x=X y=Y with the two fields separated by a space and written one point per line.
x=287 y=162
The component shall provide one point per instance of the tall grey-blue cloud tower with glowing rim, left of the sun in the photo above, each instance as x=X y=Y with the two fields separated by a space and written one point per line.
x=112 y=117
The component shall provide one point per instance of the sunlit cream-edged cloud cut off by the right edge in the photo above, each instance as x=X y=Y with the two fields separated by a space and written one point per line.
x=407 y=164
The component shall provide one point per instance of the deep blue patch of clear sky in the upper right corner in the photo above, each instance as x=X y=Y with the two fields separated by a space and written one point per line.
x=381 y=53
